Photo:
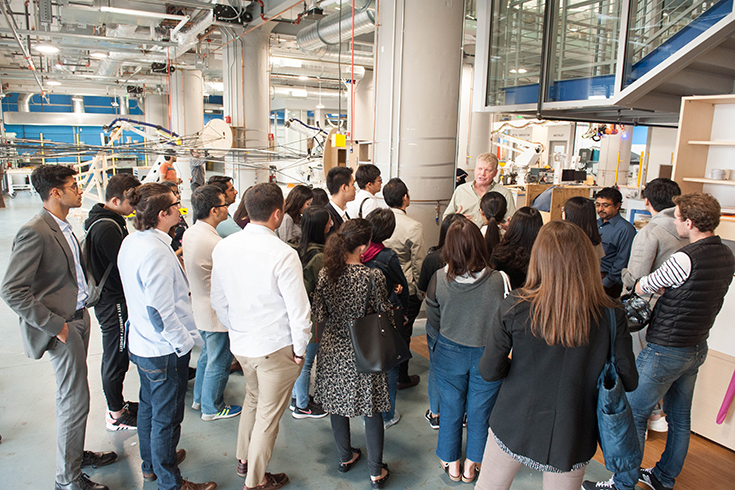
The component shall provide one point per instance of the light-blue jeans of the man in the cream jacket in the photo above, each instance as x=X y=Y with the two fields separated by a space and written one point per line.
x=213 y=371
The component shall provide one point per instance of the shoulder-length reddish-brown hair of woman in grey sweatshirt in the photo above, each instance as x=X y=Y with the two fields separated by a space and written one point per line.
x=464 y=249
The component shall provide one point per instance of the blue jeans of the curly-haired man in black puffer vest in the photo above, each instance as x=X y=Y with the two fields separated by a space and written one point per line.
x=669 y=373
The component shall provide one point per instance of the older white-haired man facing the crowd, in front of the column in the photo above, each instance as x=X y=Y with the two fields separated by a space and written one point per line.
x=466 y=197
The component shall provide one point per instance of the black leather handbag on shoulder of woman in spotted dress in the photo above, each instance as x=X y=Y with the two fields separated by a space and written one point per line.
x=378 y=345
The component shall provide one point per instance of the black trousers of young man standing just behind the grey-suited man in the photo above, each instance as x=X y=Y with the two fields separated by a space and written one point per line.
x=115 y=361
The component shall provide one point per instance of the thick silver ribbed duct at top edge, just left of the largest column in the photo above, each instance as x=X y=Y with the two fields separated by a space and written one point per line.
x=327 y=30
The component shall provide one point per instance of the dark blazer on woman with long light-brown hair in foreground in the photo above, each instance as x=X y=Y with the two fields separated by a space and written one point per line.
x=546 y=407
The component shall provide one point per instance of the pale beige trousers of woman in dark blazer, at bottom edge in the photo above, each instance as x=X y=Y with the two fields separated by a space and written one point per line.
x=499 y=470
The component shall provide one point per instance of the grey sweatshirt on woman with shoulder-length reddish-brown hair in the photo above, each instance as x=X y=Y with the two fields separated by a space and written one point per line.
x=464 y=311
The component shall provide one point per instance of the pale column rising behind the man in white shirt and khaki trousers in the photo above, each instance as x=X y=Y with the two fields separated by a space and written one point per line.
x=245 y=70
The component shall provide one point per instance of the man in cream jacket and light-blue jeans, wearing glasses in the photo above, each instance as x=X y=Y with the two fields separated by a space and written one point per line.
x=213 y=366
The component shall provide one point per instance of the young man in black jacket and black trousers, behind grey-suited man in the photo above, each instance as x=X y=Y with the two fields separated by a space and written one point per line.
x=106 y=228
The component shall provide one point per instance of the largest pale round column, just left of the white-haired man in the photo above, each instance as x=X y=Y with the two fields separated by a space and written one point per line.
x=418 y=66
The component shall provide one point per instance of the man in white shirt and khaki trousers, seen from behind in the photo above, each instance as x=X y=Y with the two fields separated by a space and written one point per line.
x=259 y=295
